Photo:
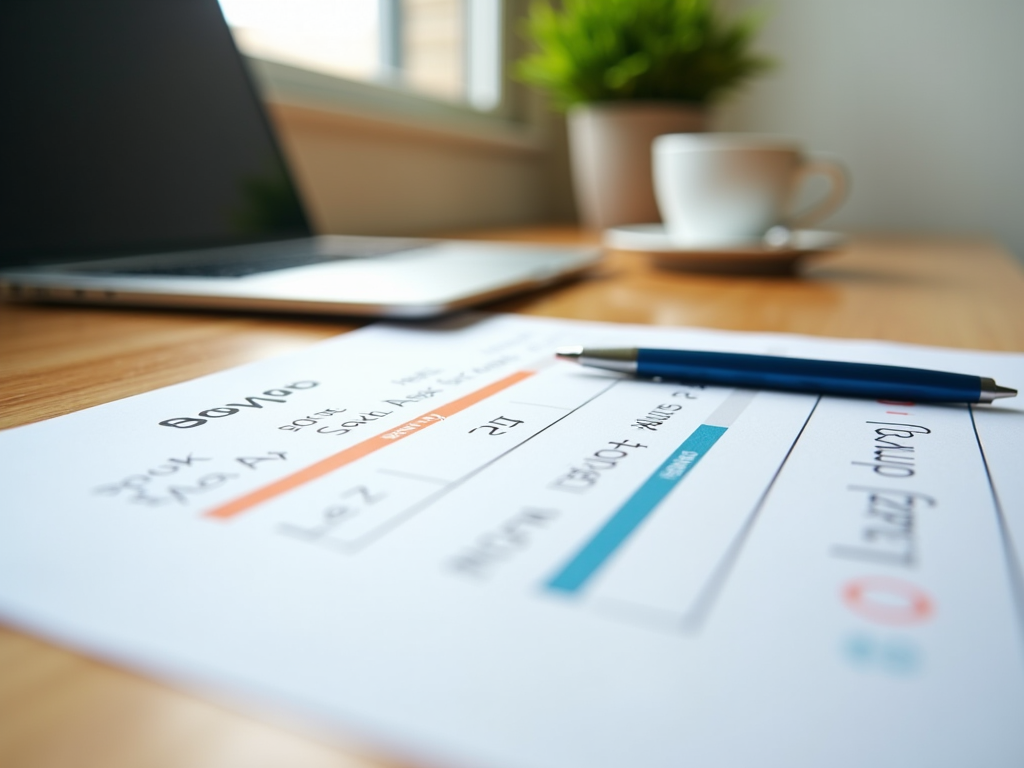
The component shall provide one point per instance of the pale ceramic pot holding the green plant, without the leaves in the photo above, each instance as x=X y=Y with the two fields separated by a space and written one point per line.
x=610 y=147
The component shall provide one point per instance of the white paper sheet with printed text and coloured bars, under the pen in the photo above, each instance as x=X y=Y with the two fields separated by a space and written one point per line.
x=443 y=541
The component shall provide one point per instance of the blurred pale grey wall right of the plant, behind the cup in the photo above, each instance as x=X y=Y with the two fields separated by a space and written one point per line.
x=923 y=99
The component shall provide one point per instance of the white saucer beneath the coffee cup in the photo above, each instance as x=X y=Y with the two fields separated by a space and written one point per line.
x=753 y=259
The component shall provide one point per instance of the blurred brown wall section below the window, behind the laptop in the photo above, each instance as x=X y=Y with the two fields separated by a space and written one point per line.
x=366 y=178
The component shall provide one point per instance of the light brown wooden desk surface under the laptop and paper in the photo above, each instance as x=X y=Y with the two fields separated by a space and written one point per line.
x=60 y=709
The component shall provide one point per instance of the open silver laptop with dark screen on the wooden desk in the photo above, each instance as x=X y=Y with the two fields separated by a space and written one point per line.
x=139 y=167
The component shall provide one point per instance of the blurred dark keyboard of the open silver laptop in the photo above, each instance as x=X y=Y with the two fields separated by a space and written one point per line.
x=242 y=266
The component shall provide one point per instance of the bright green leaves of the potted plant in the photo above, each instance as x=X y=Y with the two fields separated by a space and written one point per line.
x=603 y=51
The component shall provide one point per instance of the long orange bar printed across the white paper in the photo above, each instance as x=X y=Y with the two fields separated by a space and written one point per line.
x=350 y=455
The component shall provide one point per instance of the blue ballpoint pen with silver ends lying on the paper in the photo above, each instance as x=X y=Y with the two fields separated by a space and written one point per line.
x=794 y=375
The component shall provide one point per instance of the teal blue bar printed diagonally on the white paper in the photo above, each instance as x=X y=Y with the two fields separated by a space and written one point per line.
x=603 y=546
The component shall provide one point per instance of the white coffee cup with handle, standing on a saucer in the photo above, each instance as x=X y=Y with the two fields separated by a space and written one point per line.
x=717 y=190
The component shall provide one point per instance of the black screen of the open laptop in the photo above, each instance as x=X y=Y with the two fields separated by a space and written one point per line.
x=133 y=126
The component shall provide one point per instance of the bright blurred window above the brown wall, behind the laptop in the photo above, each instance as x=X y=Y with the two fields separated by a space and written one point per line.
x=447 y=50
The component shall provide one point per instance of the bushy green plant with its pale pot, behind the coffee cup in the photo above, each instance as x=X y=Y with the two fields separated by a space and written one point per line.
x=628 y=71
